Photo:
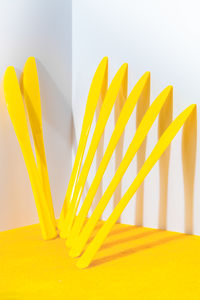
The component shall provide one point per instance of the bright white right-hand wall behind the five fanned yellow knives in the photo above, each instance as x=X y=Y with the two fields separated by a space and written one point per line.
x=158 y=36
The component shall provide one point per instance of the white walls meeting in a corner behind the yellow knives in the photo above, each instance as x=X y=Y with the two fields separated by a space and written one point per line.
x=162 y=37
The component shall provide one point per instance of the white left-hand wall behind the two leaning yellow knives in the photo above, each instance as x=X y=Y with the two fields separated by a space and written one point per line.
x=40 y=28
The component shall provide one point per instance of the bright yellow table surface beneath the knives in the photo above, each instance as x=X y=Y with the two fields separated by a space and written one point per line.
x=134 y=263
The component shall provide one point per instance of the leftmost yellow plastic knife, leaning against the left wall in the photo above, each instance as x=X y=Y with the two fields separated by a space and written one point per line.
x=16 y=111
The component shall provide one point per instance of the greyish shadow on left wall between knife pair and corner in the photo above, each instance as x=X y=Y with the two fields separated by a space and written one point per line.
x=57 y=115
